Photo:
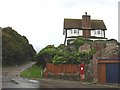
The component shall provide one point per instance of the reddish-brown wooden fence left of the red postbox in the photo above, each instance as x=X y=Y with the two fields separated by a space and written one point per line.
x=57 y=69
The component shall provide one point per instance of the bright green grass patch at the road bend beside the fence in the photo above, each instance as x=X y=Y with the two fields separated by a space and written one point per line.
x=34 y=72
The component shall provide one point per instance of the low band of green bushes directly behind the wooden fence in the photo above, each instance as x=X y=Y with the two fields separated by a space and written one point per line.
x=63 y=56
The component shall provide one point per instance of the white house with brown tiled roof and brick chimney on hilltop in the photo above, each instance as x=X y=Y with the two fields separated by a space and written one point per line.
x=86 y=27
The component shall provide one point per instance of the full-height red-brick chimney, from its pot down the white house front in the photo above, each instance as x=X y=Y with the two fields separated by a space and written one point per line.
x=86 y=25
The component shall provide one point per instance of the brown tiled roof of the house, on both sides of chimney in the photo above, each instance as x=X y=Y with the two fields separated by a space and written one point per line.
x=77 y=24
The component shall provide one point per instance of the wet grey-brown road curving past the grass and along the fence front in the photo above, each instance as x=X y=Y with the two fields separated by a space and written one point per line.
x=12 y=79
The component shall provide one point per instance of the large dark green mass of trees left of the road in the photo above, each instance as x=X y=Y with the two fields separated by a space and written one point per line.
x=15 y=48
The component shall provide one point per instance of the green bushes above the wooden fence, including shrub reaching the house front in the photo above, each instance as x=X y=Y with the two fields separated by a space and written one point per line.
x=64 y=54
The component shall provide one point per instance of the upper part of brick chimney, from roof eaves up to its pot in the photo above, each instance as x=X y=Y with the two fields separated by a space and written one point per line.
x=86 y=24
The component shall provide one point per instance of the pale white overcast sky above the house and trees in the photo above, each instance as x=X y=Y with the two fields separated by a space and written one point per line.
x=41 y=21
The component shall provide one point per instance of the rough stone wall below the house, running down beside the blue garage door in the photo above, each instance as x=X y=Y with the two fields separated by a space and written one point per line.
x=104 y=49
